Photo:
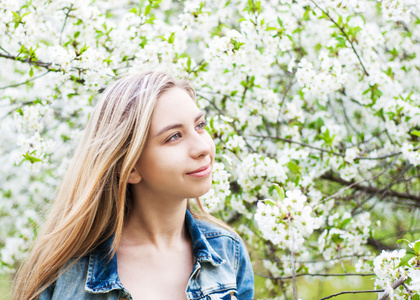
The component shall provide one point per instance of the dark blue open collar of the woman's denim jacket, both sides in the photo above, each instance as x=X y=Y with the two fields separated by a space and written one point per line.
x=102 y=274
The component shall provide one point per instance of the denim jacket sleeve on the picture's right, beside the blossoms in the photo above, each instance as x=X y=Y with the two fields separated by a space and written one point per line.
x=244 y=275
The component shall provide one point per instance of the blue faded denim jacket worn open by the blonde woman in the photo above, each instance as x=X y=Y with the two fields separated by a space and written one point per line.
x=222 y=270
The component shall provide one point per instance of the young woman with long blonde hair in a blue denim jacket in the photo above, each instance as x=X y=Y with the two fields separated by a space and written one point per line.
x=121 y=226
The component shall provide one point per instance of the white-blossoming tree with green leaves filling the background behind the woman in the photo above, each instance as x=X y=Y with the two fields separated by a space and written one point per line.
x=314 y=106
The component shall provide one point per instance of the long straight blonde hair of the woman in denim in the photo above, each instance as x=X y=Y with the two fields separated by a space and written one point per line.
x=92 y=201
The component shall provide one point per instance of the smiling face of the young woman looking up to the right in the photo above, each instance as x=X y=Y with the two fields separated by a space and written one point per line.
x=179 y=154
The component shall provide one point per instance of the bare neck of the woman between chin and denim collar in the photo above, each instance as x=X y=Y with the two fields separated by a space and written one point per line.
x=156 y=222
